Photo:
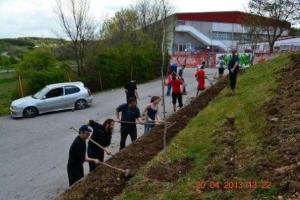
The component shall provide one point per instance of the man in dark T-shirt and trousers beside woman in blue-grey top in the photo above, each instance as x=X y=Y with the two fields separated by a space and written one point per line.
x=130 y=114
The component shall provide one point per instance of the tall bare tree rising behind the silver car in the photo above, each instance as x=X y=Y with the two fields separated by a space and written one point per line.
x=77 y=26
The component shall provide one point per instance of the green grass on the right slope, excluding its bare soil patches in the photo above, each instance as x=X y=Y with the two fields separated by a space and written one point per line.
x=196 y=141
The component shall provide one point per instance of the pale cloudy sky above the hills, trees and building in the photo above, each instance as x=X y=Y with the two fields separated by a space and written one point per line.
x=20 y=18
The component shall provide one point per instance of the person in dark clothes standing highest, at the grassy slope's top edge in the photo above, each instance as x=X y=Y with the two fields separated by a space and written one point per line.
x=233 y=68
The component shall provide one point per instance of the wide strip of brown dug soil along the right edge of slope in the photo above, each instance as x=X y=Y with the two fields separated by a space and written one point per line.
x=283 y=135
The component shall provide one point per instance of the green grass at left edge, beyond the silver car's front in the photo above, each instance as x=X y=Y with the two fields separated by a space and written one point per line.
x=8 y=84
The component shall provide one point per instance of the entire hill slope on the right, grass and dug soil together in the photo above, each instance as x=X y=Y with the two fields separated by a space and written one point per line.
x=239 y=147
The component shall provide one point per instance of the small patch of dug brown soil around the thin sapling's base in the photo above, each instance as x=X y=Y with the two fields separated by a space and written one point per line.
x=170 y=172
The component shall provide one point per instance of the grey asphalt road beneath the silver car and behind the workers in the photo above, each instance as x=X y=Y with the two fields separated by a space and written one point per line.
x=34 y=152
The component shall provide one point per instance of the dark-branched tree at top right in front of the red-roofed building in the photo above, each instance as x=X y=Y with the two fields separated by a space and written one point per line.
x=274 y=16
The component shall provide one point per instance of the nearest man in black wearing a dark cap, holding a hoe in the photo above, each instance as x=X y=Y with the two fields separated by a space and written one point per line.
x=77 y=155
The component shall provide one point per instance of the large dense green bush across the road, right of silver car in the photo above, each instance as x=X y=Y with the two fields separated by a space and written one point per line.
x=118 y=65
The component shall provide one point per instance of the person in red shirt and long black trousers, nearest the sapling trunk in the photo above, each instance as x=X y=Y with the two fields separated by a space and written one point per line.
x=176 y=83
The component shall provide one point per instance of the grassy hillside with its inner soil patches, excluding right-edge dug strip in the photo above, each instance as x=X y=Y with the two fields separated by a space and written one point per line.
x=222 y=146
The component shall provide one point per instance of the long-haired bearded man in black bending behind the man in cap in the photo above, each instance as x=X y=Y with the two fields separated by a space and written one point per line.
x=102 y=135
